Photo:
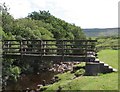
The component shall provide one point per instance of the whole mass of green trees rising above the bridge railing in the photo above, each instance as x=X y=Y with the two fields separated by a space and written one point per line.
x=37 y=25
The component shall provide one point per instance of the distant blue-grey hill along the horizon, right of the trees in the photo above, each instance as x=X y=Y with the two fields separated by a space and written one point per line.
x=95 y=32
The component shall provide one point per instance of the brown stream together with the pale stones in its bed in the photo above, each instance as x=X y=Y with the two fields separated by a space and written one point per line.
x=31 y=81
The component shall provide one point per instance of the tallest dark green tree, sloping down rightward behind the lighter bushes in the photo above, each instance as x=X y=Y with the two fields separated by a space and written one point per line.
x=60 y=29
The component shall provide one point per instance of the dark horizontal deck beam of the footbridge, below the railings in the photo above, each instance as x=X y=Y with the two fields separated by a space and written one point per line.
x=51 y=57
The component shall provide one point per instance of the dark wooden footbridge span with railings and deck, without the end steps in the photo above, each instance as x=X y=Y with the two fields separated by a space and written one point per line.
x=53 y=50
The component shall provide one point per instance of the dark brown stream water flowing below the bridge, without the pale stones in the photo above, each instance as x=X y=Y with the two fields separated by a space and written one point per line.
x=31 y=81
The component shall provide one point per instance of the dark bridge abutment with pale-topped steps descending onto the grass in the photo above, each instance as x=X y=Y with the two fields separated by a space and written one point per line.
x=93 y=68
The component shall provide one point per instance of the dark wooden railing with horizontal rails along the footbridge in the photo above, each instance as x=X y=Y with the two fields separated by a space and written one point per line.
x=48 y=47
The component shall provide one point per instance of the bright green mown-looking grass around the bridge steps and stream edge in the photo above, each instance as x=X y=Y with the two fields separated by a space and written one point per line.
x=107 y=81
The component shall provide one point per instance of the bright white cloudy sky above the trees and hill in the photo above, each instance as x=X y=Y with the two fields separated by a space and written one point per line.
x=83 y=13
